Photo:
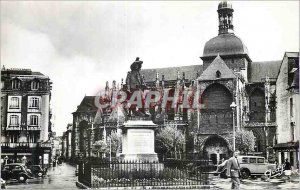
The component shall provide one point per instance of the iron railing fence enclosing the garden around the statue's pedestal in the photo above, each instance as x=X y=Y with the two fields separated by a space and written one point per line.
x=170 y=172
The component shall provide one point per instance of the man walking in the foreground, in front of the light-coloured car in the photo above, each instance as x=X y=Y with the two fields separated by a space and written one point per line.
x=233 y=170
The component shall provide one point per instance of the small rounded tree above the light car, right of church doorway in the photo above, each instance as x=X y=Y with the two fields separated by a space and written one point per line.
x=244 y=141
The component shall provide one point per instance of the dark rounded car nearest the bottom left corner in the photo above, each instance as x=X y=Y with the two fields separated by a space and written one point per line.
x=16 y=171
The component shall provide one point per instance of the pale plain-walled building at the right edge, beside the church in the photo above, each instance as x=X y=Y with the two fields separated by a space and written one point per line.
x=287 y=93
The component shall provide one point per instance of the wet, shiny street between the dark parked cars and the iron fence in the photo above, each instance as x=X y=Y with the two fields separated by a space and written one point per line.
x=59 y=177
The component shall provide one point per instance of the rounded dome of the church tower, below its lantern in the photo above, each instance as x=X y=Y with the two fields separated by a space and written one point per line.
x=224 y=44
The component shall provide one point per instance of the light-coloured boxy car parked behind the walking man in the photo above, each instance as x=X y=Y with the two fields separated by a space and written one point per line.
x=254 y=166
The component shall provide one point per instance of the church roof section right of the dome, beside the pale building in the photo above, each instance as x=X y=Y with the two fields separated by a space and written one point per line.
x=259 y=70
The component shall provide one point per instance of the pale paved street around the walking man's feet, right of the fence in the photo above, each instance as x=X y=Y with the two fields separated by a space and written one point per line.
x=220 y=183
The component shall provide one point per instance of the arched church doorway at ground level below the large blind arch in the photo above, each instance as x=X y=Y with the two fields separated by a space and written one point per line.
x=216 y=148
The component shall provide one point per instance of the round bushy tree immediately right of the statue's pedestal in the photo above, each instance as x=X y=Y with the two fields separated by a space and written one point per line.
x=170 y=139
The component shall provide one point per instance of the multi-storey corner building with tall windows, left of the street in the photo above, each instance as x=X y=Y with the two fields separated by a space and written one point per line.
x=25 y=116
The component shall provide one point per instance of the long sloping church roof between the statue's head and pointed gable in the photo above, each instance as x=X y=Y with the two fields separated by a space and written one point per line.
x=170 y=73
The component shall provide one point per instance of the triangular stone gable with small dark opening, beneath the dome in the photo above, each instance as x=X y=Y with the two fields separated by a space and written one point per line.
x=217 y=65
